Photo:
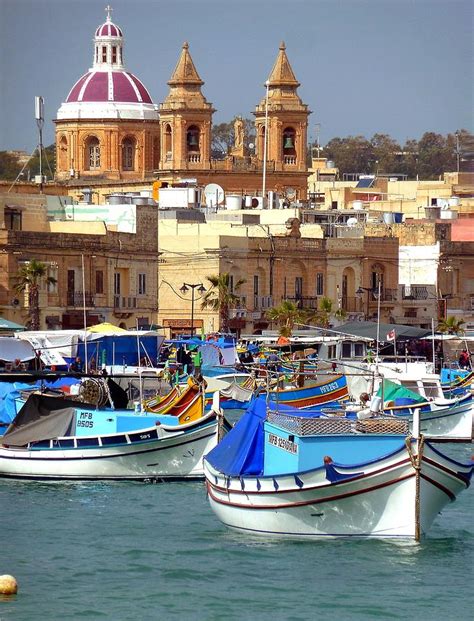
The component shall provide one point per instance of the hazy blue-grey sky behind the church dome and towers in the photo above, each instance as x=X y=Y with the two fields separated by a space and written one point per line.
x=399 y=67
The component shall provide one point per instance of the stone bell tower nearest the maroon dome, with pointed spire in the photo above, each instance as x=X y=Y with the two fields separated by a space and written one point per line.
x=185 y=120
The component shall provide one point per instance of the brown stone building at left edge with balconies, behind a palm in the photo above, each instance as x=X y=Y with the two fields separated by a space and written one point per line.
x=107 y=274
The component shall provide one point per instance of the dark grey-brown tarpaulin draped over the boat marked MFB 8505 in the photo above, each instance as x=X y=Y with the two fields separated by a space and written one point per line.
x=41 y=418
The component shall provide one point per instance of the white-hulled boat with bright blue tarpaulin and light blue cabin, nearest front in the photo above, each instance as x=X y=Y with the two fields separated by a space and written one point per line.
x=284 y=473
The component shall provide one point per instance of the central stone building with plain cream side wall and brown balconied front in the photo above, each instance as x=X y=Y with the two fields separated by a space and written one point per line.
x=278 y=260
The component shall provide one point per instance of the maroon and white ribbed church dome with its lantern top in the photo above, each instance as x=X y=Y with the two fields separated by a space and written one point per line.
x=107 y=90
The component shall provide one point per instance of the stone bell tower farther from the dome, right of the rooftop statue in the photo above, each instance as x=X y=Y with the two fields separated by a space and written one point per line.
x=287 y=119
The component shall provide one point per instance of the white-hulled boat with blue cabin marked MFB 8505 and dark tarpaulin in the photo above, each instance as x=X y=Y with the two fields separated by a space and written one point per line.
x=59 y=439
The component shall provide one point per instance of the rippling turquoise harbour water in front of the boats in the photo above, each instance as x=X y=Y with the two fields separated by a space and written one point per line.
x=130 y=551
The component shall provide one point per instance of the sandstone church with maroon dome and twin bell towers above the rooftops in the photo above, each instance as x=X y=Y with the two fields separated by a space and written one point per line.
x=110 y=130
